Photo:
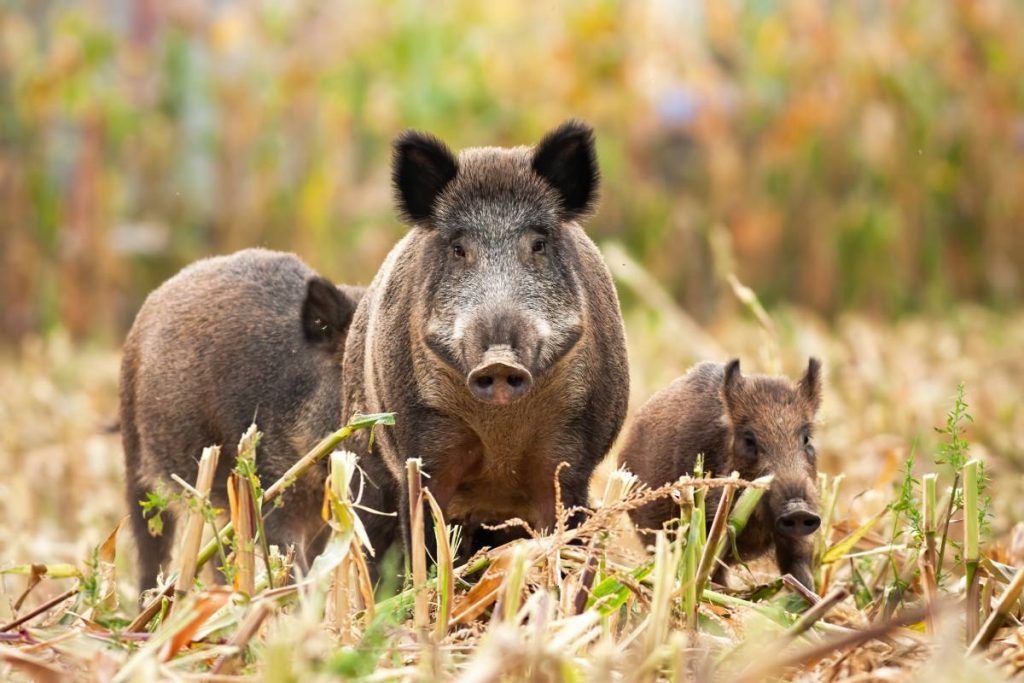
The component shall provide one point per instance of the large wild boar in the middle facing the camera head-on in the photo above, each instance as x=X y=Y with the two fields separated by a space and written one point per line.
x=493 y=331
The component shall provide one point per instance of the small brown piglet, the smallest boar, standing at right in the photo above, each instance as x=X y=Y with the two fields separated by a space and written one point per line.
x=754 y=425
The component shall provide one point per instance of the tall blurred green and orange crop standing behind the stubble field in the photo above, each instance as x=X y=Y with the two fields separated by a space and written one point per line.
x=865 y=155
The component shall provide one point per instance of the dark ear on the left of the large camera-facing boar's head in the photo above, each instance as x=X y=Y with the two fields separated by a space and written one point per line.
x=422 y=166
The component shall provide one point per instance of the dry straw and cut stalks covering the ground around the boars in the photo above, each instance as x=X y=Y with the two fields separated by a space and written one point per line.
x=581 y=605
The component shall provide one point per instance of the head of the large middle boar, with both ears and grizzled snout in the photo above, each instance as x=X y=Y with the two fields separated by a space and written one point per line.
x=503 y=300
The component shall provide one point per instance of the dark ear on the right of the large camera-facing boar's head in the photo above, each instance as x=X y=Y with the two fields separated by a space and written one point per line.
x=566 y=158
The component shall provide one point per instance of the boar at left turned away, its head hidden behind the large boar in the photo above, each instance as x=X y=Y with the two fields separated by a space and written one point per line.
x=252 y=336
